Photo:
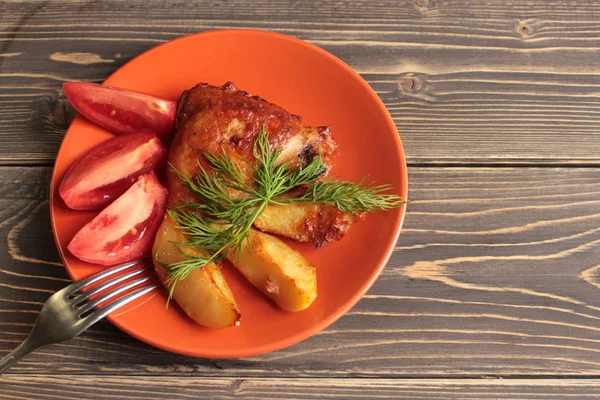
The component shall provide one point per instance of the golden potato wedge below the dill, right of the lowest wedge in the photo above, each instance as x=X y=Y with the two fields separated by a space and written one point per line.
x=277 y=270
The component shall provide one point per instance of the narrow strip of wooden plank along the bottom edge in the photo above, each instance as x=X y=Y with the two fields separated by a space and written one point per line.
x=69 y=387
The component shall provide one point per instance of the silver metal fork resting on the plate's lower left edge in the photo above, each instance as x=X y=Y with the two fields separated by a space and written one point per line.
x=70 y=311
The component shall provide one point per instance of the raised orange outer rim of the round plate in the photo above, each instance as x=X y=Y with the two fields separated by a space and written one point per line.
x=322 y=323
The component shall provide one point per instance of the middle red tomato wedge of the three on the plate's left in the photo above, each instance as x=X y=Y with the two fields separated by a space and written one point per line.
x=107 y=170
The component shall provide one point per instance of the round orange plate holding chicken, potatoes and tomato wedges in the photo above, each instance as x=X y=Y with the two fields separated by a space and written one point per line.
x=307 y=81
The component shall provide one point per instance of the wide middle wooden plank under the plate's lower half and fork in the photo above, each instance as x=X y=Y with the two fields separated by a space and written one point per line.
x=496 y=274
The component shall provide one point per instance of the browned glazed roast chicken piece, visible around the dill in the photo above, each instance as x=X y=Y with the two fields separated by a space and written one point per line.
x=212 y=118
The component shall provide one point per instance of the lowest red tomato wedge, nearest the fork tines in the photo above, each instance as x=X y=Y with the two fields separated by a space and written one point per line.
x=125 y=230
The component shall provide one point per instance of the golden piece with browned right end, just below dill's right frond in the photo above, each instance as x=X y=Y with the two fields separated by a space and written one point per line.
x=311 y=223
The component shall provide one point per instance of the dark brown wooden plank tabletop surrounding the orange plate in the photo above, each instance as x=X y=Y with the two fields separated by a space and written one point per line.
x=494 y=289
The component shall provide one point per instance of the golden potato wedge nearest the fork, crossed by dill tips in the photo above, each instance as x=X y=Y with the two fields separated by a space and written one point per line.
x=204 y=294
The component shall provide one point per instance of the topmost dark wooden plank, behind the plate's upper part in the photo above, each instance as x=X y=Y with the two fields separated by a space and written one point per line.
x=516 y=80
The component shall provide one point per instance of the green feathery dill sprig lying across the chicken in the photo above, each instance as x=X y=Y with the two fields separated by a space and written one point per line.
x=227 y=206
